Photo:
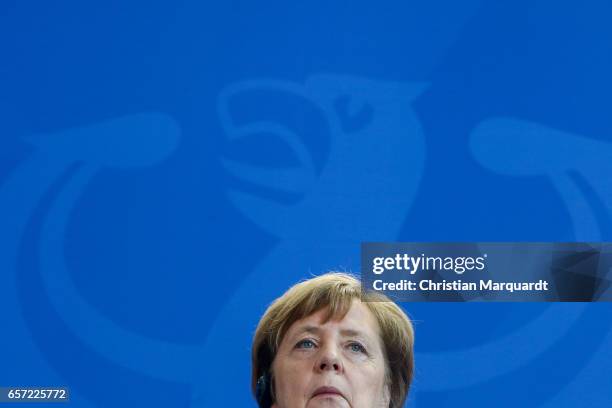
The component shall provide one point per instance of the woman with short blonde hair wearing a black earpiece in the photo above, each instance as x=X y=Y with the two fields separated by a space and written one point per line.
x=325 y=344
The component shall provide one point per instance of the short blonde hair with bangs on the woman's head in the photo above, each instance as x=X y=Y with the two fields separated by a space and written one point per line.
x=336 y=292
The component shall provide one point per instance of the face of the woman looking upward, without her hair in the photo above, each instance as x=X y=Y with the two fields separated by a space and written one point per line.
x=339 y=363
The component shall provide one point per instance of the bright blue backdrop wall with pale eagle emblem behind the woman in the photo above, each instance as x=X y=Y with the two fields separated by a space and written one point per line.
x=168 y=168
